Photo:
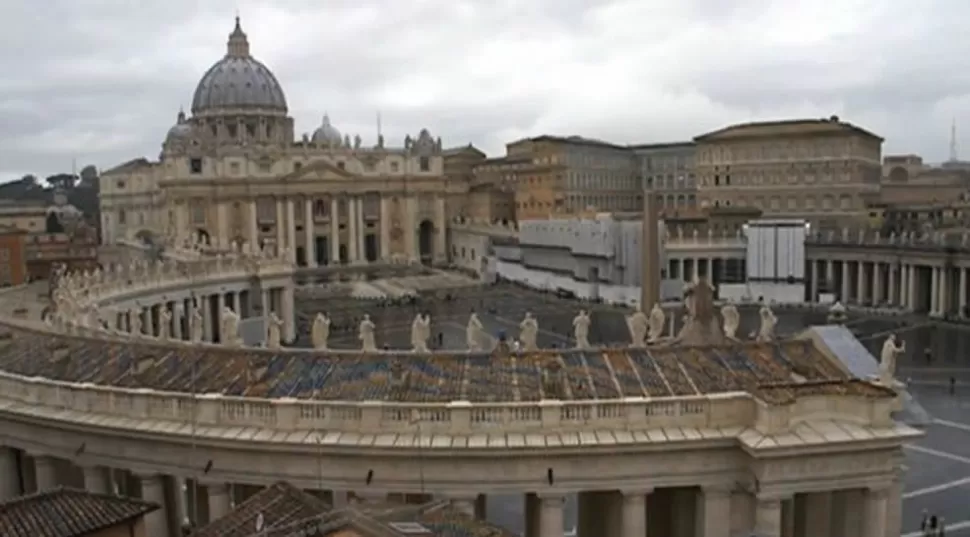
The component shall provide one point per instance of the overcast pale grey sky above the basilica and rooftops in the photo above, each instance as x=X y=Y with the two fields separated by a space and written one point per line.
x=102 y=80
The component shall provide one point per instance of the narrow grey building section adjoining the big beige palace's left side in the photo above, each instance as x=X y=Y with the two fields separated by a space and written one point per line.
x=668 y=170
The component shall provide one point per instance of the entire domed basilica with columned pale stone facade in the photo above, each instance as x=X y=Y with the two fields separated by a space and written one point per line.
x=233 y=172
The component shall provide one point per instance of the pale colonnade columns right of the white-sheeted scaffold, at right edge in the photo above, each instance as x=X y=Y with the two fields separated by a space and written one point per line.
x=901 y=284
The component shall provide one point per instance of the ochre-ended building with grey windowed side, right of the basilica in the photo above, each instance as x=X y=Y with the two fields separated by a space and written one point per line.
x=572 y=174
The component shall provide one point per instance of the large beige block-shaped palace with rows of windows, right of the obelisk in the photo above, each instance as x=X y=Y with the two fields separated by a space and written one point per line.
x=824 y=170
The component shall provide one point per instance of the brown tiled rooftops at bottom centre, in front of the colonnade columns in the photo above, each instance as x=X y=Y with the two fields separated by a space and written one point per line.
x=280 y=511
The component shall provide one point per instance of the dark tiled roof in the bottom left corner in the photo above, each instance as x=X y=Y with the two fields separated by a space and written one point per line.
x=64 y=512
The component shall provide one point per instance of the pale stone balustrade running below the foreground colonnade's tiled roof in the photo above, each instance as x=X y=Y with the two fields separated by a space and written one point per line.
x=729 y=410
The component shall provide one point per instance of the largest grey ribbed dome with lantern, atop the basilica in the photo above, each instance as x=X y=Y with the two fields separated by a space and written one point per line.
x=238 y=81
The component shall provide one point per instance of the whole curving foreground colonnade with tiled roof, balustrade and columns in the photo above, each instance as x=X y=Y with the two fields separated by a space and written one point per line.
x=671 y=436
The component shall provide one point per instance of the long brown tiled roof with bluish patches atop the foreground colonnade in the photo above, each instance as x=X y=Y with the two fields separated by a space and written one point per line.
x=776 y=372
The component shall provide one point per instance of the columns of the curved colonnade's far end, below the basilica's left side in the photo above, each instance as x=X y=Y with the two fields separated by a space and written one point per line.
x=279 y=300
